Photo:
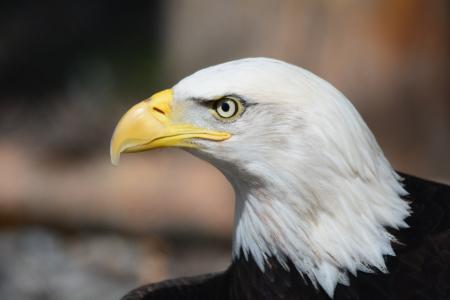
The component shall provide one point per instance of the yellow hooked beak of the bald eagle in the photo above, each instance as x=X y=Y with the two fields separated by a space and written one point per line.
x=148 y=125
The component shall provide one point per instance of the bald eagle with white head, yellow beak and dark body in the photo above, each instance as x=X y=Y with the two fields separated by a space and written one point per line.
x=320 y=213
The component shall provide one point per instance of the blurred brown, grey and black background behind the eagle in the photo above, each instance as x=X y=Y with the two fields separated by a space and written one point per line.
x=74 y=227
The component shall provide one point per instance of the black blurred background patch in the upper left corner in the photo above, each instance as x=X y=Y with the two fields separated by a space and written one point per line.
x=45 y=44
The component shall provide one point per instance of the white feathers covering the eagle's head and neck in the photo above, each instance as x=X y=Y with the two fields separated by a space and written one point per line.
x=312 y=185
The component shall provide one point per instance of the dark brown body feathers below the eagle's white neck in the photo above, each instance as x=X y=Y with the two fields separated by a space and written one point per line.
x=420 y=269
